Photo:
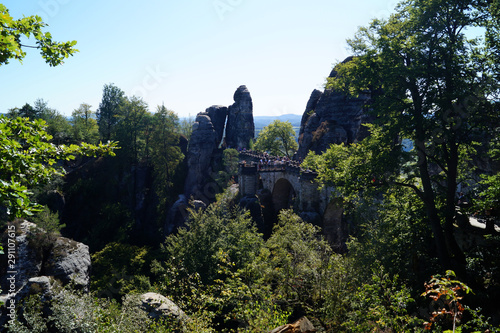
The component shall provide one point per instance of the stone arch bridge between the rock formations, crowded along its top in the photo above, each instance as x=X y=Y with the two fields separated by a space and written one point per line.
x=290 y=186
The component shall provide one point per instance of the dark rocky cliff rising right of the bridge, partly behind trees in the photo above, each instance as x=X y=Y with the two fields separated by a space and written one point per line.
x=331 y=117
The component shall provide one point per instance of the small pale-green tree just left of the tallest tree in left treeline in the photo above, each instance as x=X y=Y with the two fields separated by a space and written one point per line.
x=85 y=128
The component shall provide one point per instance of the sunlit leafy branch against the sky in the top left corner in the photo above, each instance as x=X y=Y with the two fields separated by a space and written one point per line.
x=12 y=31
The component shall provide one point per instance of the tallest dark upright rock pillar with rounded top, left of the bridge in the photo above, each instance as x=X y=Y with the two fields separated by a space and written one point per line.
x=240 y=127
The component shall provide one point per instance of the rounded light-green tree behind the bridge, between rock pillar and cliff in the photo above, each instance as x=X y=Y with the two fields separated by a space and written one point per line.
x=278 y=138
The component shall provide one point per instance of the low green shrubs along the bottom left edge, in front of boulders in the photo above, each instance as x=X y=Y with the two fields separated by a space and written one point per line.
x=72 y=311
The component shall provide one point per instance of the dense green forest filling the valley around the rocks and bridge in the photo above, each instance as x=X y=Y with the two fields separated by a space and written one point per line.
x=109 y=176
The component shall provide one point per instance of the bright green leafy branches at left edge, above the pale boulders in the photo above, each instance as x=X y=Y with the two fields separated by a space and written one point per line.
x=30 y=160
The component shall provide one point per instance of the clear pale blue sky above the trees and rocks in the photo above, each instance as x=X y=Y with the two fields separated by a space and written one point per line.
x=187 y=54
